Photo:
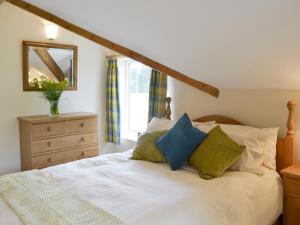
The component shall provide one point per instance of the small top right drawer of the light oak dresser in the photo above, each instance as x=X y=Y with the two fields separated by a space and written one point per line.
x=75 y=126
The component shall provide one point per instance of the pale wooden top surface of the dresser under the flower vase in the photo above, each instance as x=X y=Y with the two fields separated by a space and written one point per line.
x=61 y=117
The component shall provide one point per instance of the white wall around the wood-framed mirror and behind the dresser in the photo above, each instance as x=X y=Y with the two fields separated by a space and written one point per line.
x=17 y=25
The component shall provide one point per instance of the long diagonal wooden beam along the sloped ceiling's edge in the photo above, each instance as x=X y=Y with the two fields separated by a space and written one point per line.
x=116 y=47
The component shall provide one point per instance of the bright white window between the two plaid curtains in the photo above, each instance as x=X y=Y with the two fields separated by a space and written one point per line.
x=134 y=93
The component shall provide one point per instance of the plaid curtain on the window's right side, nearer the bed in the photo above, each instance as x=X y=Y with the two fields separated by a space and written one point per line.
x=157 y=94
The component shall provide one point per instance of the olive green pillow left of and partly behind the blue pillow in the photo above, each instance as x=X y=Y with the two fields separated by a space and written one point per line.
x=145 y=148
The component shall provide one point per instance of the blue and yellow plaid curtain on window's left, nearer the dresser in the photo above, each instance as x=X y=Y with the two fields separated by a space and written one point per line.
x=112 y=125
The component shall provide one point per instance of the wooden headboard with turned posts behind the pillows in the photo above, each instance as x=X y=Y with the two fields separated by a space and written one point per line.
x=286 y=146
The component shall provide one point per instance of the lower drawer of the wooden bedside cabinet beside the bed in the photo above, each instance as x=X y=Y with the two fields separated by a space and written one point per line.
x=292 y=213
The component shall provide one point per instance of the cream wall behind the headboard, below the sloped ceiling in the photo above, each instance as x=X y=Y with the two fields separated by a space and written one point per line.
x=259 y=108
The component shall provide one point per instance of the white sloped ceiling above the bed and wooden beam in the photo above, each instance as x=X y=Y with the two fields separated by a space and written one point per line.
x=229 y=44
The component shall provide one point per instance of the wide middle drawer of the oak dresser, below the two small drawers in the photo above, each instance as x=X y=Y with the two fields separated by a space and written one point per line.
x=53 y=144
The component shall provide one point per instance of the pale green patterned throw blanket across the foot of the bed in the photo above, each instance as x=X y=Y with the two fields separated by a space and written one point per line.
x=38 y=200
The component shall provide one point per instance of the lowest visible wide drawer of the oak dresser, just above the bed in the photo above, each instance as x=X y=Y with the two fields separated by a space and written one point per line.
x=52 y=159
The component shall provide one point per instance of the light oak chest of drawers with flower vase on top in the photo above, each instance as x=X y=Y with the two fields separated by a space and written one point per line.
x=46 y=141
